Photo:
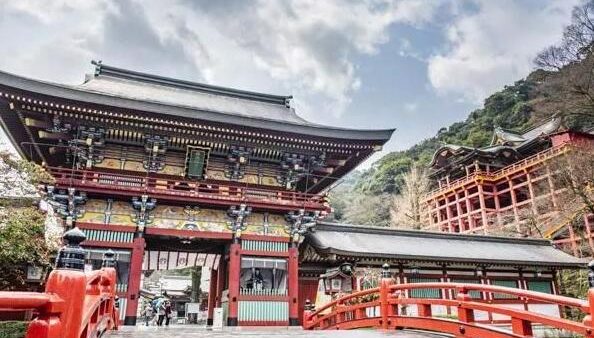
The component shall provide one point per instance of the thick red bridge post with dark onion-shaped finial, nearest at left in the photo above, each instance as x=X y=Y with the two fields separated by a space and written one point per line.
x=69 y=282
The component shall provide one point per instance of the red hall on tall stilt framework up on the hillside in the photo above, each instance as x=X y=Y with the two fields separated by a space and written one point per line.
x=510 y=182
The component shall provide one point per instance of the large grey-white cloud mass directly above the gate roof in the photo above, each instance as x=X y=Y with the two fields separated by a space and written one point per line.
x=303 y=47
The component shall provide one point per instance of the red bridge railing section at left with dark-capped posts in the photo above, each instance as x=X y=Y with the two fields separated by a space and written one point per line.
x=75 y=304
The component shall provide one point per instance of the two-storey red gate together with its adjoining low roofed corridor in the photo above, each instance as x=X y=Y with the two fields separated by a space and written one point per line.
x=171 y=174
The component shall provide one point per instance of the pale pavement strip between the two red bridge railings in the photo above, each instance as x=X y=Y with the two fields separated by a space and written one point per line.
x=188 y=331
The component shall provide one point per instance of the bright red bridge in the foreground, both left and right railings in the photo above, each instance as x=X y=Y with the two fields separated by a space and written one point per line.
x=76 y=304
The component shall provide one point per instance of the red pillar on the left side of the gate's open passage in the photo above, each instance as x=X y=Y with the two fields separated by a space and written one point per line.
x=134 y=281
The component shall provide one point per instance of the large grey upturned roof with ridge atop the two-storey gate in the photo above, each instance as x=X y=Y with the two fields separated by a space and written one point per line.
x=168 y=98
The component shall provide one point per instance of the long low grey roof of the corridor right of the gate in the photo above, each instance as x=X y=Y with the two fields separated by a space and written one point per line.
x=359 y=241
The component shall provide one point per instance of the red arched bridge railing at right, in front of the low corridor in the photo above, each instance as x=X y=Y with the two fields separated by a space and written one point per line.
x=382 y=307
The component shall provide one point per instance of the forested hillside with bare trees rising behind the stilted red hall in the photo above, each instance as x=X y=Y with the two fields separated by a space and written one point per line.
x=561 y=85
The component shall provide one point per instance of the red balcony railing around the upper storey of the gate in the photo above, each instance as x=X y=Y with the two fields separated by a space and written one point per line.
x=180 y=189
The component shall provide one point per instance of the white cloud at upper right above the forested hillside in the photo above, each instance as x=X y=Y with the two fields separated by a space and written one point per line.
x=495 y=45
